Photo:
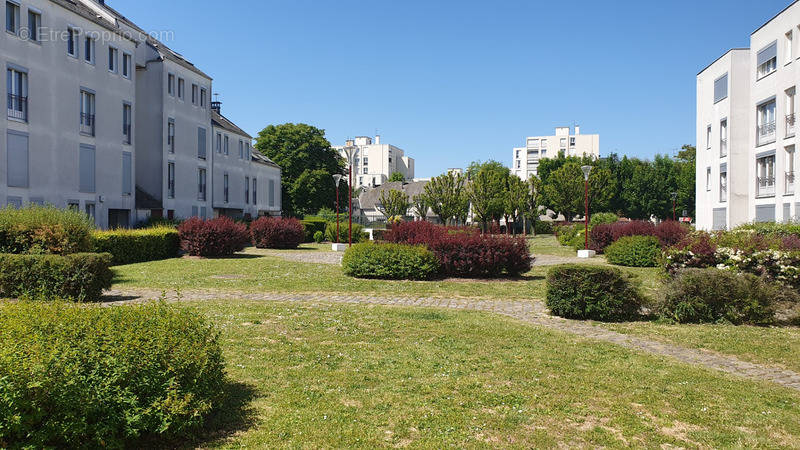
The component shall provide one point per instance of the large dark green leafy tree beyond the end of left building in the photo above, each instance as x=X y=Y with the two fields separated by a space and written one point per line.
x=307 y=164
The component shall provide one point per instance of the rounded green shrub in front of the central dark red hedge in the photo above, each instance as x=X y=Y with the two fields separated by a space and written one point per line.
x=390 y=261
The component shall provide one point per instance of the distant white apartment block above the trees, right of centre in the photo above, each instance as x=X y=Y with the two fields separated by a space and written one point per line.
x=525 y=160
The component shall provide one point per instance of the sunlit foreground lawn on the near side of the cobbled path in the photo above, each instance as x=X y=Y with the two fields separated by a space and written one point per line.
x=344 y=376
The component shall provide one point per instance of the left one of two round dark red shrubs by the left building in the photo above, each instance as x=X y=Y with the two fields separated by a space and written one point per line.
x=212 y=238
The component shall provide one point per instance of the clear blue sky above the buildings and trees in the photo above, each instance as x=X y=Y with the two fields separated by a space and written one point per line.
x=456 y=81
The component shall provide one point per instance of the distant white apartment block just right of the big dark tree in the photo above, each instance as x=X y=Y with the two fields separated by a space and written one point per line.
x=374 y=162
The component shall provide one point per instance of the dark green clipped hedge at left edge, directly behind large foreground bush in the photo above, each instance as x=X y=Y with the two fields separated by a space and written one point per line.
x=79 y=276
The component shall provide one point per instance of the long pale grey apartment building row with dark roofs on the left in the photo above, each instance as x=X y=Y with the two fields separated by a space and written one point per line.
x=103 y=118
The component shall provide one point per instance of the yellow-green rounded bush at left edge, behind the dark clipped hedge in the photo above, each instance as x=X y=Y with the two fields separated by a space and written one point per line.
x=44 y=230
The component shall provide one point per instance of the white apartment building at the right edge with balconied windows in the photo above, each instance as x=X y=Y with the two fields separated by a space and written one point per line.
x=746 y=134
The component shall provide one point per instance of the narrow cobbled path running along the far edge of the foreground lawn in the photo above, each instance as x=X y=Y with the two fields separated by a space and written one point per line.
x=530 y=312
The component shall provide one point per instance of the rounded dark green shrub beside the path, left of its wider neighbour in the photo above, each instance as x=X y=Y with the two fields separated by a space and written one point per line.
x=592 y=293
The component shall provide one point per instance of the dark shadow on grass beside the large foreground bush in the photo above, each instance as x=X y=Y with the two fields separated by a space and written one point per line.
x=233 y=416
